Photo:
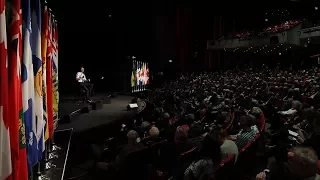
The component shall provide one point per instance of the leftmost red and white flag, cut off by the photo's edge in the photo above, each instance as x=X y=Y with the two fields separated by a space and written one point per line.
x=5 y=155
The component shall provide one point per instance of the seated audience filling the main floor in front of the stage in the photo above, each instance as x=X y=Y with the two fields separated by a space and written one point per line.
x=238 y=124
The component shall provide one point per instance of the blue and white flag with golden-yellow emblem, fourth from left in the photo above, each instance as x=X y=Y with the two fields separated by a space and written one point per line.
x=37 y=68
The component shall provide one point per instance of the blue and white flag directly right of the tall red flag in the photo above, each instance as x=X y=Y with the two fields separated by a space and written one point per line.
x=28 y=88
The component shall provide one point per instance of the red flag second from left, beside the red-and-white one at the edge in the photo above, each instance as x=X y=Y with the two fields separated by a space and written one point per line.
x=17 y=125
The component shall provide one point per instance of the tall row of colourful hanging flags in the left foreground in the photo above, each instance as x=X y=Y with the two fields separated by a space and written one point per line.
x=28 y=85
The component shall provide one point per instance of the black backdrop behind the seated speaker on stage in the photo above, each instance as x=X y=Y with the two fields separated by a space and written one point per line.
x=88 y=37
